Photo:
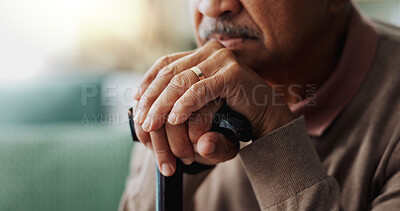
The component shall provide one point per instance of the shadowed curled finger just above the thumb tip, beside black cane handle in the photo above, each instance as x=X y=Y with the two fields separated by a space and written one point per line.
x=200 y=121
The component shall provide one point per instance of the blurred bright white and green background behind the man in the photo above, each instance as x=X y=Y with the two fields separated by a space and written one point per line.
x=67 y=71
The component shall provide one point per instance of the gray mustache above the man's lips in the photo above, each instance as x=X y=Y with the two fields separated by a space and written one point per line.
x=208 y=28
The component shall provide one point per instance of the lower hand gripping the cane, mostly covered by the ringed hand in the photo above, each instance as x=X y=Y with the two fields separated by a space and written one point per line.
x=210 y=147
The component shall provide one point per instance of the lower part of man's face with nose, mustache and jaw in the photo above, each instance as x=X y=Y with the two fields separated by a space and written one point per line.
x=261 y=33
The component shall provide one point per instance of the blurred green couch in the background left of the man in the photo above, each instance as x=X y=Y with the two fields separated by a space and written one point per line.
x=50 y=159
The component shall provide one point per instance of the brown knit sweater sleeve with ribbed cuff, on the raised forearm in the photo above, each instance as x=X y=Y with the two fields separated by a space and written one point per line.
x=286 y=173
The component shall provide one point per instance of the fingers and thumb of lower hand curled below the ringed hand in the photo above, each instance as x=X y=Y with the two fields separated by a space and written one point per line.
x=210 y=147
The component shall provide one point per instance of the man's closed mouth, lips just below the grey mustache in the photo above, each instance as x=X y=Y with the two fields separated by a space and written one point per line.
x=232 y=41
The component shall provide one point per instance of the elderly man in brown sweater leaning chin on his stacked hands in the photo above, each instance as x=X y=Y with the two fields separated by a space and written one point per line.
x=320 y=86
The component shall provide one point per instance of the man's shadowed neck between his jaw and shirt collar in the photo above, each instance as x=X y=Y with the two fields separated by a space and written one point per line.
x=313 y=65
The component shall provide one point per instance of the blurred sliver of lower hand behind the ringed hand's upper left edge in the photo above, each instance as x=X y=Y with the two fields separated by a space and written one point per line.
x=153 y=71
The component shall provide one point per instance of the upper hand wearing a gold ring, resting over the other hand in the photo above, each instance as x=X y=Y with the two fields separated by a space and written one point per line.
x=177 y=90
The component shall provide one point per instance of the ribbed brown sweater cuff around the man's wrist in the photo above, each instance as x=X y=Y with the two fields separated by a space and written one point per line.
x=282 y=163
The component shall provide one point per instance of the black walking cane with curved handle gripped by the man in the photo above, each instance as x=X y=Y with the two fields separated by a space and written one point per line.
x=169 y=190
